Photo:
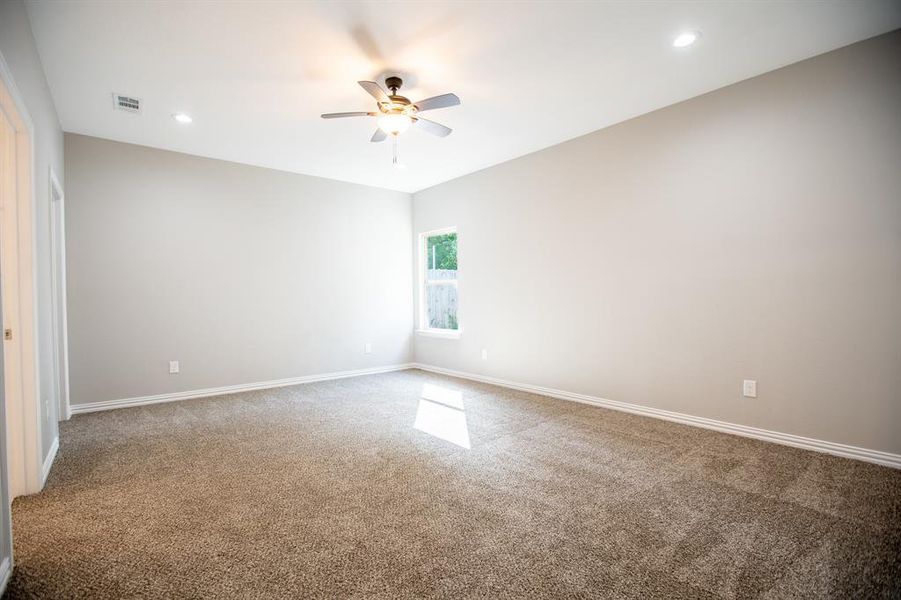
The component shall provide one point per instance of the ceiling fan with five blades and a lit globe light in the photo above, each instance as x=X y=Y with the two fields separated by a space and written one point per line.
x=396 y=113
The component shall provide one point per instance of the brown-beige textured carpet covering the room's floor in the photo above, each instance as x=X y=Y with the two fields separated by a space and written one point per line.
x=328 y=490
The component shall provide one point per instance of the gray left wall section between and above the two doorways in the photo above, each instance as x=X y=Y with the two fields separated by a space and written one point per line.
x=19 y=51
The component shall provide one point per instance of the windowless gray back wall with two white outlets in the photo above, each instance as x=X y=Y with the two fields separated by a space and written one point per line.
x=242 y=274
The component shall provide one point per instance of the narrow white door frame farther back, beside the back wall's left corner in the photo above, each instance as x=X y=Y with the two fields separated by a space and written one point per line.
x=60 y=320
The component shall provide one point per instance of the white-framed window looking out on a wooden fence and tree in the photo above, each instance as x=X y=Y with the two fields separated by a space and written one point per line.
x=438 y=304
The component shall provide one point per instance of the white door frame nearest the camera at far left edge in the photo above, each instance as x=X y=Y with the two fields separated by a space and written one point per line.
x=17 y=261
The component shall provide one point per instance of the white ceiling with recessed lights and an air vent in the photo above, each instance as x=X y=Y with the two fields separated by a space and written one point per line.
x=256 y=75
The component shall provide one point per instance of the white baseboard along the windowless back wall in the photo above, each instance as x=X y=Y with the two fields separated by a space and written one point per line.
x=229 y=389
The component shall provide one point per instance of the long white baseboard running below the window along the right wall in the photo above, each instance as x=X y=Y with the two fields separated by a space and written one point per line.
x=874 y=456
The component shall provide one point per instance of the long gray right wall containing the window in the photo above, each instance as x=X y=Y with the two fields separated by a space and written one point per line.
x=753 y=232
